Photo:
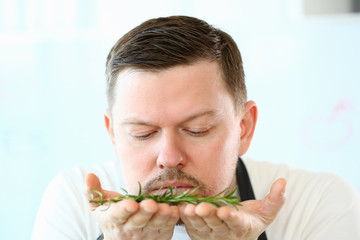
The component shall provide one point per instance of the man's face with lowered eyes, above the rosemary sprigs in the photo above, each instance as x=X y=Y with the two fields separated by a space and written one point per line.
x=176 y=126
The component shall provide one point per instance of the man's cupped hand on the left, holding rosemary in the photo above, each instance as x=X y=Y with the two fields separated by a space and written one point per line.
x=128 y=219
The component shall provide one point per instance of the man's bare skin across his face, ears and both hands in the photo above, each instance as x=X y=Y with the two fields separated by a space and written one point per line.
x=182 y=118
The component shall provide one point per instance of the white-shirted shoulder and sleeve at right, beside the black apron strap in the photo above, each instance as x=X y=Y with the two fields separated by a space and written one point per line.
x=318 y=206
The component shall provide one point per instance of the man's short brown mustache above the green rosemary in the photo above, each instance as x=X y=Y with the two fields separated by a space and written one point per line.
x=175 y=174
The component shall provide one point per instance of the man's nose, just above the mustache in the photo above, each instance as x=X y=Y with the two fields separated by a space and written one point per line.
x=171 y=154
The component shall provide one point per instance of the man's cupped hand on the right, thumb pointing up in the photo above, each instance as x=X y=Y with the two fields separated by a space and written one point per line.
x=205 y=221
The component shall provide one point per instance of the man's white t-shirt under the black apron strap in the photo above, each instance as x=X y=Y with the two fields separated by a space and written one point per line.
x=319 y=206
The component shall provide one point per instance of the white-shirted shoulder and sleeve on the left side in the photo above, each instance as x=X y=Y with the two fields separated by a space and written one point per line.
x=64 y=212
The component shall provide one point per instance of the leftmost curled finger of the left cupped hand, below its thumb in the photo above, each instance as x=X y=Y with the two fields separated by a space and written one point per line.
x=118 y=213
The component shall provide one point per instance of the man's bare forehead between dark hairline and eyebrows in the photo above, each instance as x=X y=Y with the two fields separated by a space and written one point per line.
x=168 y=95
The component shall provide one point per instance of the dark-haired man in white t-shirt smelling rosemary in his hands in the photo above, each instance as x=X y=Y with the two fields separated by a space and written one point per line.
x=178 y=115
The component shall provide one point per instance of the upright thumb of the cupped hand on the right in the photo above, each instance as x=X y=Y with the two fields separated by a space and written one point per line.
x=273 y=202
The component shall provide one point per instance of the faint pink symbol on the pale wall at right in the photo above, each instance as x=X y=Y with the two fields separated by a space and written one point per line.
x=333 y=130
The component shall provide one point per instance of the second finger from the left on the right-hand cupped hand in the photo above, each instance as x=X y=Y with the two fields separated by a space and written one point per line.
x=208 y=212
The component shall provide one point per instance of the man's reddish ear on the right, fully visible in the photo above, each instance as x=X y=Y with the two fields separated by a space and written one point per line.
x=247 y=124
